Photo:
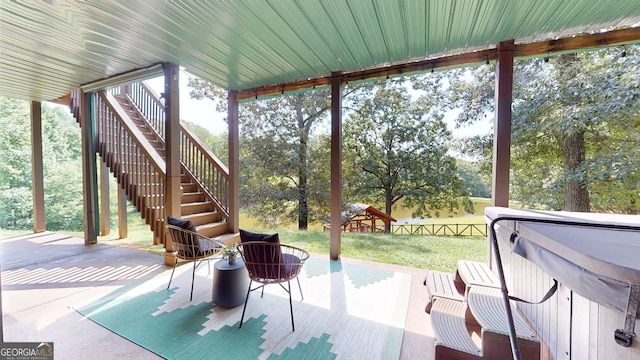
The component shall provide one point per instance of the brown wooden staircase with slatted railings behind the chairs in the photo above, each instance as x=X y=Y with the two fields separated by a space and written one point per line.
x=130 y=140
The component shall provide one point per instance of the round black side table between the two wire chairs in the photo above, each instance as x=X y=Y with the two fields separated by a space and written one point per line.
x=230 y=283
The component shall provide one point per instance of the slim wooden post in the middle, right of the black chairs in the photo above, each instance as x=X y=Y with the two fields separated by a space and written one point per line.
x=336 y=167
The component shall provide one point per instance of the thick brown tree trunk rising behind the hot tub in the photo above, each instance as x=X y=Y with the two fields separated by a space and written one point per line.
x=576 y=193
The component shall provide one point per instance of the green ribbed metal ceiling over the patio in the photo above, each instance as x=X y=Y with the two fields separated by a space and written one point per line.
x=48 y=48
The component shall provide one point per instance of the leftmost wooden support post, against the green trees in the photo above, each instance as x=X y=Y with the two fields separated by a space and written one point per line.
x=37 y=166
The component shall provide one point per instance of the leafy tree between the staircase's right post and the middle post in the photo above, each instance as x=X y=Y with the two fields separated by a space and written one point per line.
x=281 y=149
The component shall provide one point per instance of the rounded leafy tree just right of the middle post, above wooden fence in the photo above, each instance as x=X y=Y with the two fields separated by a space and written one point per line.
x=399 y=151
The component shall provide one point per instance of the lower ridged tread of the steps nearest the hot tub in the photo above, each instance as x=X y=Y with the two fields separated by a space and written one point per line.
x=487 y=306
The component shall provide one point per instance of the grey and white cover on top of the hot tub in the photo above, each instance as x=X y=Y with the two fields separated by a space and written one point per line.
x=594 y=255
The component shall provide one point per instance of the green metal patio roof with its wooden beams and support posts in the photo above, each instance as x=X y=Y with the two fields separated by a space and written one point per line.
x=51 y=50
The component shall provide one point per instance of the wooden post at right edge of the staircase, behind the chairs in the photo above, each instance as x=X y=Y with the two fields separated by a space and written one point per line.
x=234 y=162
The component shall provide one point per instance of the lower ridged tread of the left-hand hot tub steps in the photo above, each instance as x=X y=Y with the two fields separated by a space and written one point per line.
x=450 y=326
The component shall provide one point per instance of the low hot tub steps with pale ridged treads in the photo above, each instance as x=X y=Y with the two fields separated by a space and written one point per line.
x=469 y=318
